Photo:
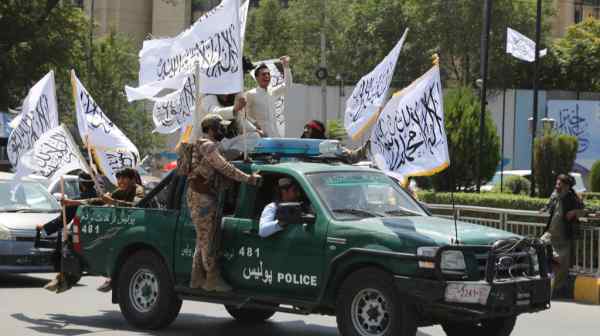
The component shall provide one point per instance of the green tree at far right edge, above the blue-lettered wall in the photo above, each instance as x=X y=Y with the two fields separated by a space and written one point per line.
x=578 y=55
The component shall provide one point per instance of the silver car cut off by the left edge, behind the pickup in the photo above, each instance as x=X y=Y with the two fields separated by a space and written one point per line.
x=21 y=209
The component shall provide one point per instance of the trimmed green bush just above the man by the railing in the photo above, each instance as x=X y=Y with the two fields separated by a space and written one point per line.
x=554 y=154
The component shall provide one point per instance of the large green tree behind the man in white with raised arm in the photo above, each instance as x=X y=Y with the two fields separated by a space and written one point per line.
x=359 y=33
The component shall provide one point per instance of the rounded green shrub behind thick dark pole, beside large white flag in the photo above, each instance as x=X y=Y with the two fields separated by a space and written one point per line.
x=461 y=114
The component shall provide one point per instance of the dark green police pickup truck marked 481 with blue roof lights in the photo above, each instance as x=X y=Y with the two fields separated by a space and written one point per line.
x=358 y=248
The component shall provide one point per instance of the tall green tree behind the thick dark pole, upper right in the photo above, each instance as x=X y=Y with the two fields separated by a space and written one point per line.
x=453 y=28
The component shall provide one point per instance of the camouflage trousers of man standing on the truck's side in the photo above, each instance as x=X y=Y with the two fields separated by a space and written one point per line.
x=203 y=212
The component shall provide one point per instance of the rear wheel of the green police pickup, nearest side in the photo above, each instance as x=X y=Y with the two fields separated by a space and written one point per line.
x=147 y=295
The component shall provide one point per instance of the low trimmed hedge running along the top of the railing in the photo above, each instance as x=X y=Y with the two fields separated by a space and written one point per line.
x=493 y=200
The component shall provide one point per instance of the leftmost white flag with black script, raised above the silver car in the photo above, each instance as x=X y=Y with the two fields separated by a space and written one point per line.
x=38 y=114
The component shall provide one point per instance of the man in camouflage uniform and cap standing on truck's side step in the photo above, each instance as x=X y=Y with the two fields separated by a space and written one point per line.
x=207 y=164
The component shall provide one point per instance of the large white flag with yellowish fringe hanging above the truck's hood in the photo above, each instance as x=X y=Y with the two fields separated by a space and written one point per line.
x=409 y=138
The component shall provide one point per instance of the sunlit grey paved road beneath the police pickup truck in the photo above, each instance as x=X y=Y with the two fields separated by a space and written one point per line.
x=26 y=309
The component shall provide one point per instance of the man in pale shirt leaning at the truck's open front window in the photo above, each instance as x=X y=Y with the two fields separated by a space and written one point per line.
x=288 y=192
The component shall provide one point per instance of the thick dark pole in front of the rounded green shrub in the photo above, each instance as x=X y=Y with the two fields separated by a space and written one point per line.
x=485 y=34
